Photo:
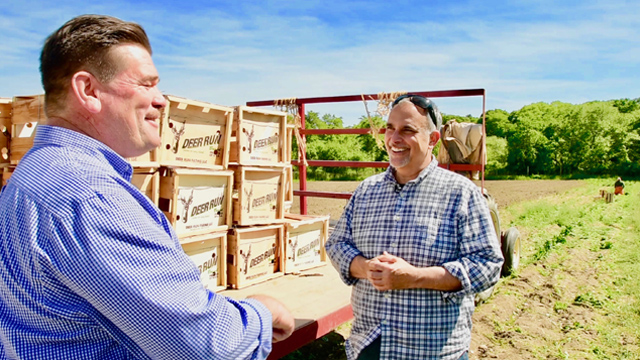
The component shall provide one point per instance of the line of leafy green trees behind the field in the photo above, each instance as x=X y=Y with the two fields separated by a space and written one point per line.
x=597 y=138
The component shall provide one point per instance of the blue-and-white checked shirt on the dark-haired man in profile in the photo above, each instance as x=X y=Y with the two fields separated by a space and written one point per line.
x=91 y=269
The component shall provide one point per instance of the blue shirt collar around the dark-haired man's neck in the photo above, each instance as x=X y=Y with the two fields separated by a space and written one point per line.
x=58 y=136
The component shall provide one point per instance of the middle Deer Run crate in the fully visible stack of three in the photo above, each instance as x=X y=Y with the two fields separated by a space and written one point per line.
x=258 y=195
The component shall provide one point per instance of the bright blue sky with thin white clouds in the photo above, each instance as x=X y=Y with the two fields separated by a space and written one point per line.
x=231 y=52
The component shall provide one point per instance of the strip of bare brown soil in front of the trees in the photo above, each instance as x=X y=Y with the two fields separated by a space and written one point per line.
x=506 y=192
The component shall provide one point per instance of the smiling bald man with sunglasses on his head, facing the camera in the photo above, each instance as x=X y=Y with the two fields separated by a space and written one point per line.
x=417 y=243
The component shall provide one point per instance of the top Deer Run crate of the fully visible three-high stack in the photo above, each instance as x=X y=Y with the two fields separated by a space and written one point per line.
x=258 y=137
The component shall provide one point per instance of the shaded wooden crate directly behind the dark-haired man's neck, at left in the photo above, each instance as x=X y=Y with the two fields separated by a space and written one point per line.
x=26 y=113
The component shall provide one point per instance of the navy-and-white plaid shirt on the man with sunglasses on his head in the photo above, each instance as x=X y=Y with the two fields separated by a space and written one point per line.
x=438 y=219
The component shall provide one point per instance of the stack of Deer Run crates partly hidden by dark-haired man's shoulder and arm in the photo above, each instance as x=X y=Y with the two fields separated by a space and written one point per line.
x=194 y=186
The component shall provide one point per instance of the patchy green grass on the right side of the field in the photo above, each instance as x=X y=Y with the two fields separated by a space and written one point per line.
x=612 y=230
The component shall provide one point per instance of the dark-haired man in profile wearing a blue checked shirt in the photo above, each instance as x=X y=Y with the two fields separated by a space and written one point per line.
x=90 y=268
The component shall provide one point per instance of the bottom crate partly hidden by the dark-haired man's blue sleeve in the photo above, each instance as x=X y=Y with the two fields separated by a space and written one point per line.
x=208 y=253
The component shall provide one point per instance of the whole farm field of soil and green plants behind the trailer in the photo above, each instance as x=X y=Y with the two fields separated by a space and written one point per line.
x=575 y=295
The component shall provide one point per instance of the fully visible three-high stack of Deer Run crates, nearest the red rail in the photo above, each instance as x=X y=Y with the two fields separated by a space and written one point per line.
x=257 y=157
